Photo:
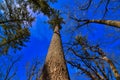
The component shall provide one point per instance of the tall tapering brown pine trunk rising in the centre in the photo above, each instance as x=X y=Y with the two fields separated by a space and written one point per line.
x=55 y=65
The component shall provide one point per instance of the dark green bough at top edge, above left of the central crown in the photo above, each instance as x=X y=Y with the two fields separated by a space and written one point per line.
x=41 y=6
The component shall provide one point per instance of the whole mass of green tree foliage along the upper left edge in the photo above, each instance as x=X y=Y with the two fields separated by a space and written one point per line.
x=15 y=21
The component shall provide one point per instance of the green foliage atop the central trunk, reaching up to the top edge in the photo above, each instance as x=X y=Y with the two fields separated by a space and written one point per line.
x=43 y=6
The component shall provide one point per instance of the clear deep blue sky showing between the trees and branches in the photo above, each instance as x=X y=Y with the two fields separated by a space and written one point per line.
x=41 y=35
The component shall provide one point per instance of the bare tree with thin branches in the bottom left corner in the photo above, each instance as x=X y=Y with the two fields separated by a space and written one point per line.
x=9 y=68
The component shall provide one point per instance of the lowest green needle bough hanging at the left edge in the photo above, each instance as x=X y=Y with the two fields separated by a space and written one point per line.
x=15 y=41
